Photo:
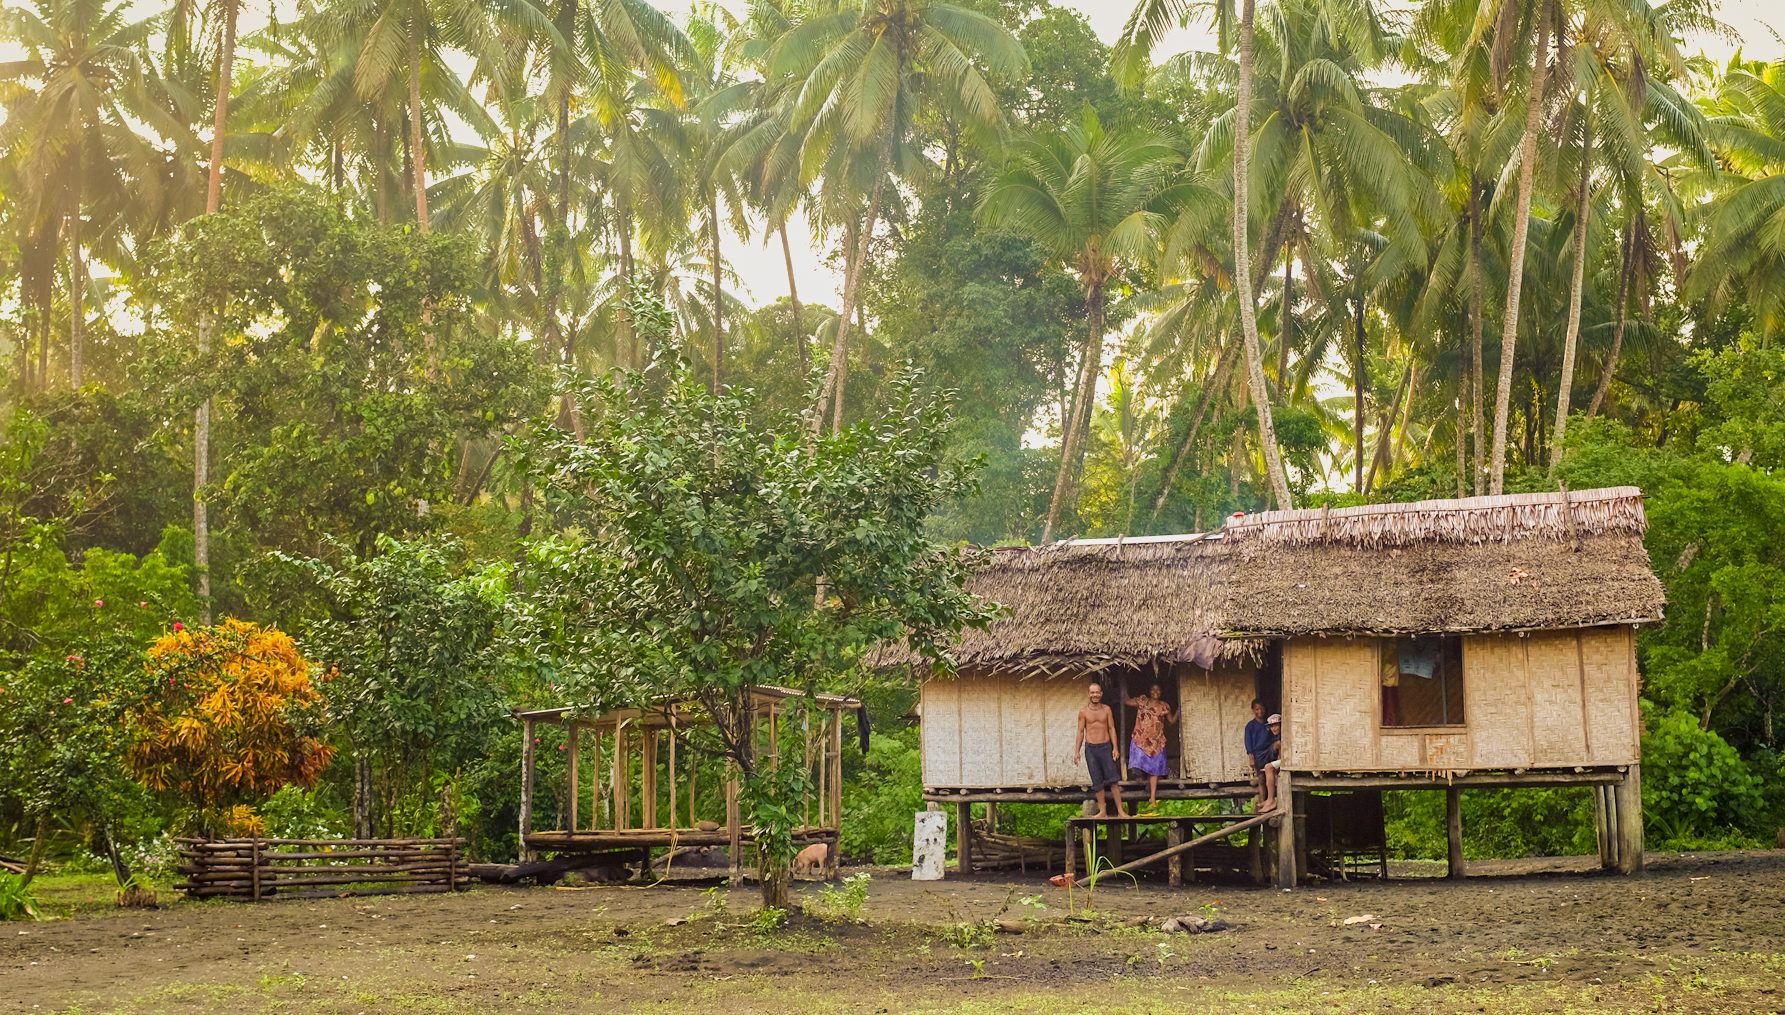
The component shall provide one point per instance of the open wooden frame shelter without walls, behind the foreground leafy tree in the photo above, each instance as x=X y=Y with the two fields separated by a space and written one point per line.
x=643 y=788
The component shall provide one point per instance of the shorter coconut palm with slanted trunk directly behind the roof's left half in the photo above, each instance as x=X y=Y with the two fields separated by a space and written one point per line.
x=1093 y=201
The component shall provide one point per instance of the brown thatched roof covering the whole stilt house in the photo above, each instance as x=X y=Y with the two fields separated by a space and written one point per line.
x=1477 y=565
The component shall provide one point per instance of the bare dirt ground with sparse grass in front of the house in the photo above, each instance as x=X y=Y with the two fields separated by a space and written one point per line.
x=1695 y=934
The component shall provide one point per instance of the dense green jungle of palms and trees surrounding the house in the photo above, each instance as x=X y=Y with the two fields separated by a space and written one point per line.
x=356 y=359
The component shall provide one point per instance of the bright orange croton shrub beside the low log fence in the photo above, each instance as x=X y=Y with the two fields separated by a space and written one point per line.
x=229 y=718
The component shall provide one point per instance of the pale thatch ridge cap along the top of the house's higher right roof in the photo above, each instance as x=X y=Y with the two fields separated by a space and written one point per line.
x=1572 y=516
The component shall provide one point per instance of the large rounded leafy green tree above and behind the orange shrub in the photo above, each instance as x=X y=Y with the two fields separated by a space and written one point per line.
x=351 y=370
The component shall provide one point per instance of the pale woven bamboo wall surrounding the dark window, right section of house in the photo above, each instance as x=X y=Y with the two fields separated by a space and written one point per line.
x=1538 y=700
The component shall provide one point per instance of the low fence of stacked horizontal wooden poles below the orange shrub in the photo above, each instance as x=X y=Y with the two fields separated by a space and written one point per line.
x=317 y=868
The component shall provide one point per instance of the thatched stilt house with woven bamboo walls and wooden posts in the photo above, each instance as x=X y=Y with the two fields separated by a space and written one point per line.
x=1438 y=645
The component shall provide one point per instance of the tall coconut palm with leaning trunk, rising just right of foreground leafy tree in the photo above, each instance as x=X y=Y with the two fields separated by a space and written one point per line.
x=863 y=72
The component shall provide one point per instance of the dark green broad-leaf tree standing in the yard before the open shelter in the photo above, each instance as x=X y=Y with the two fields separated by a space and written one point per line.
x=706 y=554
